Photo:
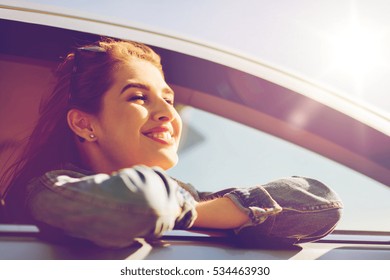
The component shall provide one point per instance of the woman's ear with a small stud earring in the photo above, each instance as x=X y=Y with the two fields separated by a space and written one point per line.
x=81 y=125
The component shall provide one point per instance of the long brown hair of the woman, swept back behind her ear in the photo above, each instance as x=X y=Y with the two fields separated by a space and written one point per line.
x=83 y=78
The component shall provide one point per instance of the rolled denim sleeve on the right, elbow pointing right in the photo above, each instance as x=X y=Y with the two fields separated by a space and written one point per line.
x=286 y=211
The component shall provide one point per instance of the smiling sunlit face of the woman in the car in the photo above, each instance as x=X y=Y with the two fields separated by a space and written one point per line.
x=138 y=123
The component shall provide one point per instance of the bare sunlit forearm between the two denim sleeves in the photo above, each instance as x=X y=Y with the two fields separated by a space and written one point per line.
x=219 y=213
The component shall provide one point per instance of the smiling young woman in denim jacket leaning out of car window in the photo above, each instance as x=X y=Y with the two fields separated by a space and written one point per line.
x=94 y=165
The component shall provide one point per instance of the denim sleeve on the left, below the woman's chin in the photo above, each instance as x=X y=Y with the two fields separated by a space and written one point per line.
x=110 y=210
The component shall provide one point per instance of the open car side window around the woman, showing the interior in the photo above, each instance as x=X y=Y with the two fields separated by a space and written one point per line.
x=239 y=129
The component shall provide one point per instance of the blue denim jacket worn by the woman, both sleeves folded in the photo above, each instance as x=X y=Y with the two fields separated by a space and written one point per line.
x=112 y=210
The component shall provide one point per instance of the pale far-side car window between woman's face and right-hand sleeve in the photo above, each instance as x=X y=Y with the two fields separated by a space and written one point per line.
x=216 y=153
